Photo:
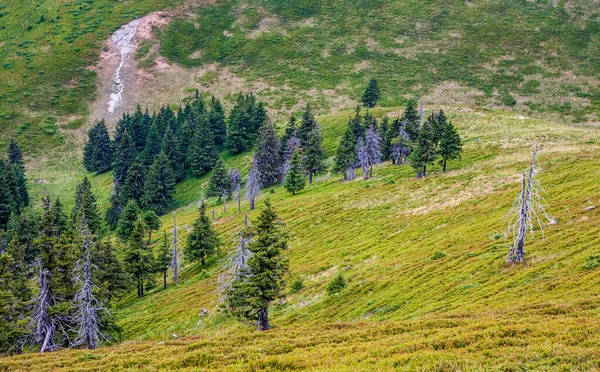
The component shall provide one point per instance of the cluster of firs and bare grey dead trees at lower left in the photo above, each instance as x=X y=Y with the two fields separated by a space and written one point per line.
x=58 y=277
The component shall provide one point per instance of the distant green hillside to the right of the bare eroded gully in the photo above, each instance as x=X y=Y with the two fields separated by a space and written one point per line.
x=506 y=51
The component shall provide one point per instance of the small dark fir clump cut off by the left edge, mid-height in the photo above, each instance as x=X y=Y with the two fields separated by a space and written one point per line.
x=13 y=184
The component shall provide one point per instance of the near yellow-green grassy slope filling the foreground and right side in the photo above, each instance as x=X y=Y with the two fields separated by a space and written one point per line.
x=427 y=284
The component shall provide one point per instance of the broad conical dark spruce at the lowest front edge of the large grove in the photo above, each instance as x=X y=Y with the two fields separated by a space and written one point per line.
x=159 y=186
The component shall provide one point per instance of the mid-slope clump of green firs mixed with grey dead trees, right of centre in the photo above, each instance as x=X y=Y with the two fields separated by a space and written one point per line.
x=411 y=138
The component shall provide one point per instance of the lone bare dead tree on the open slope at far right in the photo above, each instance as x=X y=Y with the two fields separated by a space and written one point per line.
x=524 y=214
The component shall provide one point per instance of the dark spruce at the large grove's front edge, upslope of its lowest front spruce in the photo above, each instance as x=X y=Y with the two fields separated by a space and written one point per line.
x=202 y=152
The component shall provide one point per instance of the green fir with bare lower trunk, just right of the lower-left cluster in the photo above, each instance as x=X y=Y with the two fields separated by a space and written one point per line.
x=138 y=256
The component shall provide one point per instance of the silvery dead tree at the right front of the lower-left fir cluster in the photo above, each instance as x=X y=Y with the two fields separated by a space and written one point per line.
x=87 y=307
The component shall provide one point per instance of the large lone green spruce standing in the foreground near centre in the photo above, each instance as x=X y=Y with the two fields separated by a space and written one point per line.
x=262 y=280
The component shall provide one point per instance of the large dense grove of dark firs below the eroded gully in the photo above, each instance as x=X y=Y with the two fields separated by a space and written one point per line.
x=151 y=153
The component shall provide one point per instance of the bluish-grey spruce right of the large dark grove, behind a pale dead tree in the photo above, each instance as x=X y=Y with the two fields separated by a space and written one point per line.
x=267 y=155
